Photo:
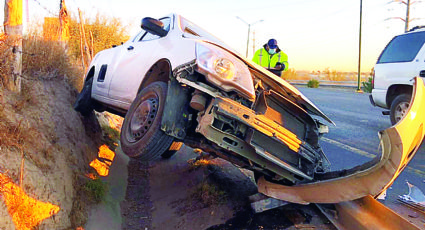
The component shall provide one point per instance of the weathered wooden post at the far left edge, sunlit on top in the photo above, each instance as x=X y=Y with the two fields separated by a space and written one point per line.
x=13 y=29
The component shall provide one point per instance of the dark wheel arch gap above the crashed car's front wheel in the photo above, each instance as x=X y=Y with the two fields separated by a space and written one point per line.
x=160 y=71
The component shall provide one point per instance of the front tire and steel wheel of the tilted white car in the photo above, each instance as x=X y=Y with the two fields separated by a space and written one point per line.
x=141 y=134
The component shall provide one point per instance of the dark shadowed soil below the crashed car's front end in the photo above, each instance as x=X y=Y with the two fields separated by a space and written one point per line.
x=168 y=194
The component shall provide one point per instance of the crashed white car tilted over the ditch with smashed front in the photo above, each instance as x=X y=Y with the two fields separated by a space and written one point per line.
x=175 y=83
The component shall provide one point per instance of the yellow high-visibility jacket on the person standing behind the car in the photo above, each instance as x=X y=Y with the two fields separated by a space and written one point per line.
x=266 y=60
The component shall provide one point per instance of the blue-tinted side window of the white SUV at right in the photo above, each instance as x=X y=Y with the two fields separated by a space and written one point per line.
x=403 y=48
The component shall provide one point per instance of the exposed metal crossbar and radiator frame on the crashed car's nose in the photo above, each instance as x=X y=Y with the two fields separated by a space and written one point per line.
x=266 y=144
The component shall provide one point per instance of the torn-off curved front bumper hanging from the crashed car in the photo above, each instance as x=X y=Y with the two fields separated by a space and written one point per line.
x=399 y=144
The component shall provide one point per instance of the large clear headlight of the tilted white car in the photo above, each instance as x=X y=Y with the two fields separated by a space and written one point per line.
x=224 y=70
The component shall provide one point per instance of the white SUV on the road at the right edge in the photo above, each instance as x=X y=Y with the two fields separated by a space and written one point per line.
x=401 y=60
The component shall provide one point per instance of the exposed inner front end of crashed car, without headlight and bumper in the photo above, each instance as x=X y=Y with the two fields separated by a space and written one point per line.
x=269 y=133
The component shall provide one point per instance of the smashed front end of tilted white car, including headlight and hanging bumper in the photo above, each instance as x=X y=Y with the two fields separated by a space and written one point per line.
x=268 y=128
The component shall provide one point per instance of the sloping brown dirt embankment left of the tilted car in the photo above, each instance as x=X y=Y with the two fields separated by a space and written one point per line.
x=40 y=131
